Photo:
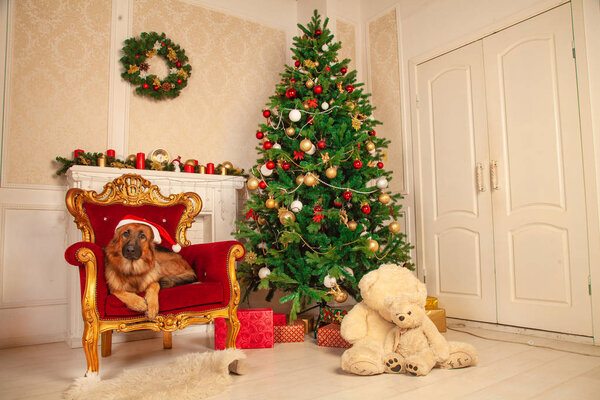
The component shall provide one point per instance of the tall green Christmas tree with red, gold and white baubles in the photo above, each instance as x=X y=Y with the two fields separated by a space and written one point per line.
x=319 y=216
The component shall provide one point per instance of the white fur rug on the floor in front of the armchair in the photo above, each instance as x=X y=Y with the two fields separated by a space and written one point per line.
x=191 y=376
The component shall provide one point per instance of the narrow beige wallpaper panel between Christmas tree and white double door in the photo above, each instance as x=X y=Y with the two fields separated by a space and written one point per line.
x=385 y=87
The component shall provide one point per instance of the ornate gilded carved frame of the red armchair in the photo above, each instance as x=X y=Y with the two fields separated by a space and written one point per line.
x=134 y=190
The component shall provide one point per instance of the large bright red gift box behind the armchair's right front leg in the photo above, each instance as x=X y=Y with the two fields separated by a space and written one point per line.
x=256 y=329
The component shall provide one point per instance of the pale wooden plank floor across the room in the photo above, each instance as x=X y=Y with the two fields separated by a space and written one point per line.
x=506 y=370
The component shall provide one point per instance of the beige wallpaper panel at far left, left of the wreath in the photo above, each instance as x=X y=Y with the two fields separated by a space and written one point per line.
x=58 y=85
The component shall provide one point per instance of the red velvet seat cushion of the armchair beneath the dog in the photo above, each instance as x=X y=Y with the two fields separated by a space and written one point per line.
x=198 y=296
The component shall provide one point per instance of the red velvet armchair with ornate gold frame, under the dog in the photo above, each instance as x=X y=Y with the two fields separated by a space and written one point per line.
x=215 y=295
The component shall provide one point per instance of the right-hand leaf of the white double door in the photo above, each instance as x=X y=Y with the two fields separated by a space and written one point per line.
x=539 y=209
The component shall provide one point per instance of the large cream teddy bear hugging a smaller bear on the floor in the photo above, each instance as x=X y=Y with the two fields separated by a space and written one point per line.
x=379 y=342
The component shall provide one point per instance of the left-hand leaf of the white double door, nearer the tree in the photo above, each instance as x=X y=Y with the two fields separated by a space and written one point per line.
x=457 y=223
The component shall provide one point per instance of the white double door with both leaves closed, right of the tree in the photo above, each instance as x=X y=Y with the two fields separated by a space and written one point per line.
x=503 y=213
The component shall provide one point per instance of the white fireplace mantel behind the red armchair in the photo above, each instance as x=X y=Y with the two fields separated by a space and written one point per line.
x=216 y=221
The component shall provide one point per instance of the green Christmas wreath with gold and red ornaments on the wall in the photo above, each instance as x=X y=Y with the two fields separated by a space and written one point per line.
x=137 y=53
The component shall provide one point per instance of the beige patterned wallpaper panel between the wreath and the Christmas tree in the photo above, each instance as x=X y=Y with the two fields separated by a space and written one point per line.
x=235 y=66
